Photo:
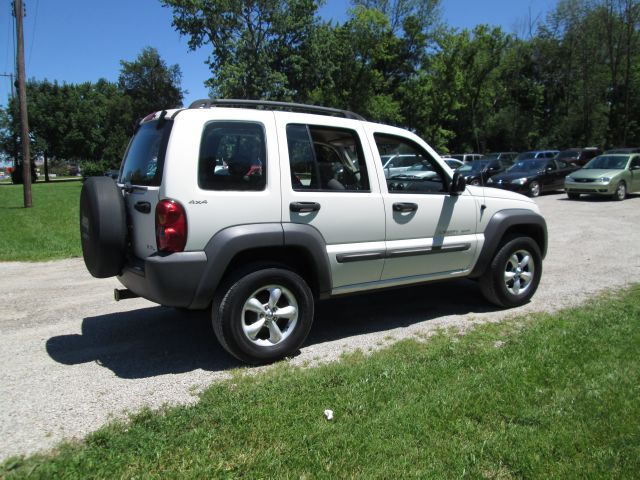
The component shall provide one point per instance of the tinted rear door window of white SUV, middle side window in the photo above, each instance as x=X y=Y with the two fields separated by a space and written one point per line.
x=326 y=159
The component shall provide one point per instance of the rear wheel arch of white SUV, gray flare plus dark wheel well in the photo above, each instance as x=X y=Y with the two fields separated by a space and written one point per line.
x=298 y=247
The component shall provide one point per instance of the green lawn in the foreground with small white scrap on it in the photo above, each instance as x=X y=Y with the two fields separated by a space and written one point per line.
x=554 y=396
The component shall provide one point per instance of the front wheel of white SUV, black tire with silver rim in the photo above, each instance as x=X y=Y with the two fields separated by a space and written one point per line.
x=494 y=284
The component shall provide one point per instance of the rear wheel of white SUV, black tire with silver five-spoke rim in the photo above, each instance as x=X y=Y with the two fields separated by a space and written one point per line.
x=230 y=319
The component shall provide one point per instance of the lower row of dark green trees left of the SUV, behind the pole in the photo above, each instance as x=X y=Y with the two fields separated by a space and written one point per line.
x=90 y=123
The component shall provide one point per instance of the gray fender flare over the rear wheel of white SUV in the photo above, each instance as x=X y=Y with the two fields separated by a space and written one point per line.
x=228 y=243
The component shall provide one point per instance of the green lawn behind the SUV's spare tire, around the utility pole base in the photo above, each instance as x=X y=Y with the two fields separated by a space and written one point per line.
x=49 y=230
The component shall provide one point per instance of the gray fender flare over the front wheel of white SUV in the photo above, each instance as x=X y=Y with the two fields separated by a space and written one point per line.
x=521 y=220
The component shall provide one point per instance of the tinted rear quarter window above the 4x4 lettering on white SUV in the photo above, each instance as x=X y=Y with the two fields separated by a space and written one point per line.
x=232 y=157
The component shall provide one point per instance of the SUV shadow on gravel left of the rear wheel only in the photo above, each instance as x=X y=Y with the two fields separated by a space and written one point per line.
x=144 y=343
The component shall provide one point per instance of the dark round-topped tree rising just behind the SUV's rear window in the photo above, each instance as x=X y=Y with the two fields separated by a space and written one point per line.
x=150 y=83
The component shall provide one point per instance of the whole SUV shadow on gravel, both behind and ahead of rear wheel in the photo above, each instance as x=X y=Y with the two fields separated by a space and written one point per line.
x=157 y=341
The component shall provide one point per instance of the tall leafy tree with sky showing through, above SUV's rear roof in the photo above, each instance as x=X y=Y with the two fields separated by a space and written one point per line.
x=255 y=44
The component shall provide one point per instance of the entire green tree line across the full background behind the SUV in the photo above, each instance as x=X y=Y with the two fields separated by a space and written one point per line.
x=572 y=79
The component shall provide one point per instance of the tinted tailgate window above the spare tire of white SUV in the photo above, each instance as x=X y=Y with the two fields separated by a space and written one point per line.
x=144 y=159
